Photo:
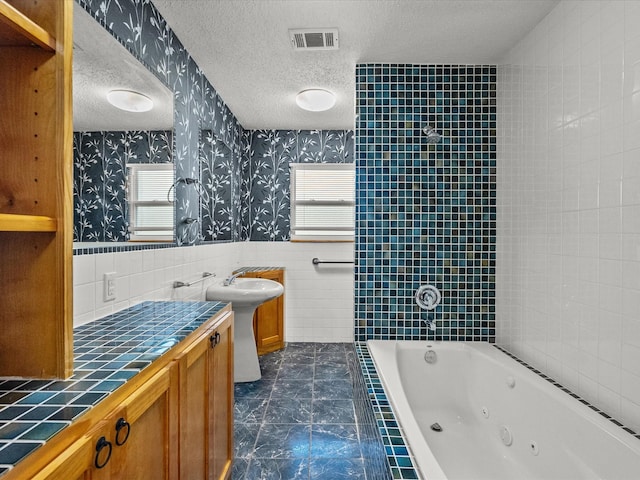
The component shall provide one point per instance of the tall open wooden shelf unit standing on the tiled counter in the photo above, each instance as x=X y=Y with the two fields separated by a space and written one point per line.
x=36 y=204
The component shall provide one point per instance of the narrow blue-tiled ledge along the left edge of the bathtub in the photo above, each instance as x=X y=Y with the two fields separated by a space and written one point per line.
x=399 y=456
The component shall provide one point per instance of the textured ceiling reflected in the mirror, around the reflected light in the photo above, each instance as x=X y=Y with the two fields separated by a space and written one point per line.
x=101 y=64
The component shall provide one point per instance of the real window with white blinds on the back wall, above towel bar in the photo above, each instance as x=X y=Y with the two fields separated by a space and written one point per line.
x=322 y=201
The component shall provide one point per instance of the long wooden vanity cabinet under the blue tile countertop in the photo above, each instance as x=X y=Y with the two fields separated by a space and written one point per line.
x=174 y=420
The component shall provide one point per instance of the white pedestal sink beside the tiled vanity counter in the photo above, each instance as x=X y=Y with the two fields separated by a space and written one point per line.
x=245 y=295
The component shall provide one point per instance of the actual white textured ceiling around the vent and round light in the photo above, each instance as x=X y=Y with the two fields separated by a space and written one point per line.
x=243 y=46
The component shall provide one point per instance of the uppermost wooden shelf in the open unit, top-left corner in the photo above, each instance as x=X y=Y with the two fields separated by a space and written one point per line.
x=19 y=30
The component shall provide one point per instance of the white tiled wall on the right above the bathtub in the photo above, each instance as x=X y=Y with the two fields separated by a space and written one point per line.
x=568 y=240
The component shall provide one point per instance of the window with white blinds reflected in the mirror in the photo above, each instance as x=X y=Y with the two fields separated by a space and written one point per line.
x=150 y=201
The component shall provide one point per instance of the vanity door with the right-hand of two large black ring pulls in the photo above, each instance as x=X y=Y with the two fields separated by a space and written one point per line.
x=144 y=431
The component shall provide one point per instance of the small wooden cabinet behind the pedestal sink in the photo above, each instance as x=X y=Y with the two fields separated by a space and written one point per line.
x=268 y=320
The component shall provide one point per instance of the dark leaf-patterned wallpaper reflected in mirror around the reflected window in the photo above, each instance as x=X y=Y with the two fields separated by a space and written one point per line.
x=99 y=162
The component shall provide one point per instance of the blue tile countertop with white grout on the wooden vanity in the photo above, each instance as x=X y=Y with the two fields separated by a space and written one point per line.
x=107 y=353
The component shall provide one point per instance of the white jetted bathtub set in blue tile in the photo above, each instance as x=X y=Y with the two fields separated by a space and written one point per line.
x=497 y=419
